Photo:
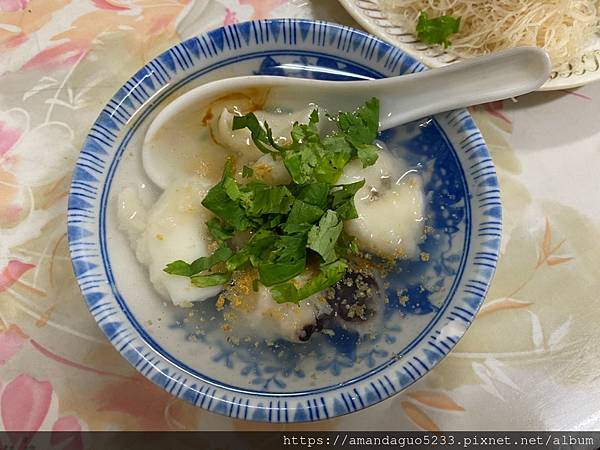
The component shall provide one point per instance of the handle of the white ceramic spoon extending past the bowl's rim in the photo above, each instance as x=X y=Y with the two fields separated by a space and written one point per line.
x=479 y=80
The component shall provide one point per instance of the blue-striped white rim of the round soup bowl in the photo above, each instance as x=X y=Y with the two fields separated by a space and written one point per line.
x=308 y=405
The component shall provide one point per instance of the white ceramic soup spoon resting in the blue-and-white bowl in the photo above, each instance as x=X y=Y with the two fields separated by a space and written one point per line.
x=402 y=99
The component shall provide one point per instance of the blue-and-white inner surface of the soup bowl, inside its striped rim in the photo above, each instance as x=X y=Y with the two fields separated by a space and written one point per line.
x=416 y=291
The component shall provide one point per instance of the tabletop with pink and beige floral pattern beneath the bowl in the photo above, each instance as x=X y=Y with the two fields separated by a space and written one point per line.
x=530 y=361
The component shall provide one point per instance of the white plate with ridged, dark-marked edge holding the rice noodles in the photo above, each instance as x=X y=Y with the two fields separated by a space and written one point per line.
x=370 y=15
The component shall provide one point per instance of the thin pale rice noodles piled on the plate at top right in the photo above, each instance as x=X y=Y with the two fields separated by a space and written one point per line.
x=563 y=27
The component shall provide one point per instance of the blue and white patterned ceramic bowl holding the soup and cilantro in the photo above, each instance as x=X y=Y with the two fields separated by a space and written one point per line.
x=431 y=303
